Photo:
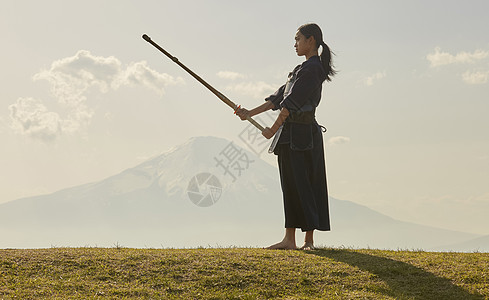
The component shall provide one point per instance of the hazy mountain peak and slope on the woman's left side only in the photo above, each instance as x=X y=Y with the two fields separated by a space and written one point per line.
x=149 y=205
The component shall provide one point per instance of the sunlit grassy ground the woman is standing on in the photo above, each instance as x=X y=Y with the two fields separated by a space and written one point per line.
x=235 y=273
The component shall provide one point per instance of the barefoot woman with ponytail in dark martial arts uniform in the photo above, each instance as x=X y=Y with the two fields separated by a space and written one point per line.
x=299 y=147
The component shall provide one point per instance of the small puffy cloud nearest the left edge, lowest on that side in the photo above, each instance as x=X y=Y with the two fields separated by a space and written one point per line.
x=30 y=117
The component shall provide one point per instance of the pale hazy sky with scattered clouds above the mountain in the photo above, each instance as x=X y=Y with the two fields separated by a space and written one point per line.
x=84 y=97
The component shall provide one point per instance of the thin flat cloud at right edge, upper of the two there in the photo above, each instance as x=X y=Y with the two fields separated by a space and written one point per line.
x=439 y=58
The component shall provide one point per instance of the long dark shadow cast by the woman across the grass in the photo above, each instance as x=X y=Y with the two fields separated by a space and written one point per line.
x=404 y=280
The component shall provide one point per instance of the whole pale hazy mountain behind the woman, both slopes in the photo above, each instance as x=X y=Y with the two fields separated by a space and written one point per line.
x=205 y=192
